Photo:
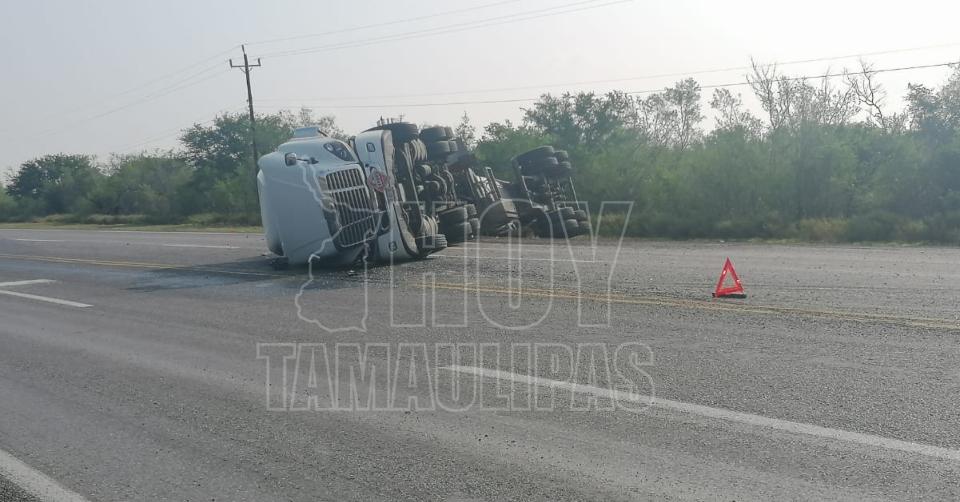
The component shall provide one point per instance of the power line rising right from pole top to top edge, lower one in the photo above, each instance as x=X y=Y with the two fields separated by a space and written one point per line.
x=455 y=28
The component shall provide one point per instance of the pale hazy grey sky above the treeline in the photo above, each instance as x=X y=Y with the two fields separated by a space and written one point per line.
x=120 y=76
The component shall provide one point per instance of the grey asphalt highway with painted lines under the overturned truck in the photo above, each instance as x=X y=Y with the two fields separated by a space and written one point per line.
x=129 y=370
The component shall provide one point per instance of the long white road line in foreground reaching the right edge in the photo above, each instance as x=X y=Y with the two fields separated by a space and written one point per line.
x=720 y=413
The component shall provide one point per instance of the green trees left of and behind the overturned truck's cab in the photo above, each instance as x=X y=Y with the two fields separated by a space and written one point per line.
x=208 y=180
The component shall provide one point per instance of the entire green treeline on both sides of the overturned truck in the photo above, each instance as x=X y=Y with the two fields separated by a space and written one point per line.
x=824 y=161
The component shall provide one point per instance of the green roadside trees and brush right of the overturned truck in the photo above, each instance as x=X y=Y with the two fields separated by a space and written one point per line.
x=825 y=162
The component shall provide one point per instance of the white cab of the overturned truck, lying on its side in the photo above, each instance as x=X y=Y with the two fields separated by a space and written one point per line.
x=322 y=200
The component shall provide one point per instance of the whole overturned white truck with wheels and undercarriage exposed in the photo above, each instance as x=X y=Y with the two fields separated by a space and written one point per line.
x=396 y=192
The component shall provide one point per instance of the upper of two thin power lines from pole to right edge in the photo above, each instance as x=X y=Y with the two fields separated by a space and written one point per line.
x=622 y=79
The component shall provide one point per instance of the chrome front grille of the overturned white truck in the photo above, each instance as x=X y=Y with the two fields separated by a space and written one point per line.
x=356 y=219
